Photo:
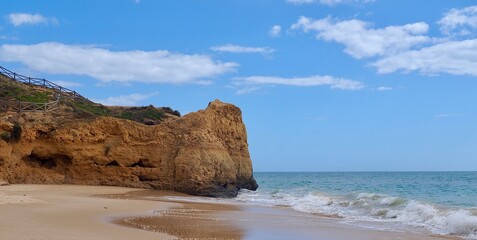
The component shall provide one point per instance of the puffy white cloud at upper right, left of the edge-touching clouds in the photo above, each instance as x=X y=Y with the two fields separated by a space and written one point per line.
x=361 y=41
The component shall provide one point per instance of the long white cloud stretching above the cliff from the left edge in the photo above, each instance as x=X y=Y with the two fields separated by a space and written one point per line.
x=116 y=66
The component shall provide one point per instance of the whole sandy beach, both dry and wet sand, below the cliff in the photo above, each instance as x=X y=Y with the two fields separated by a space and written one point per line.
x=92 y=212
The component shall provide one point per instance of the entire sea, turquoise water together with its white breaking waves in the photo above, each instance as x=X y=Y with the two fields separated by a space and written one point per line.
x=443 y=203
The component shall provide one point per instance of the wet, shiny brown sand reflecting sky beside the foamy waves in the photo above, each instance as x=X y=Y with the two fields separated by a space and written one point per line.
x=194 y=220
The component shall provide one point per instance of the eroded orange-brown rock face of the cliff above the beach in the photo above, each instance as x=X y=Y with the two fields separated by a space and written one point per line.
x=202 y=153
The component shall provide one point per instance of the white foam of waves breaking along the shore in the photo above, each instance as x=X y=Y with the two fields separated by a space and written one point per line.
x=367 y=207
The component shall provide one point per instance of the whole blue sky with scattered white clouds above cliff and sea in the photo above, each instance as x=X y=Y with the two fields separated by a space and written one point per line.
x=324 y=85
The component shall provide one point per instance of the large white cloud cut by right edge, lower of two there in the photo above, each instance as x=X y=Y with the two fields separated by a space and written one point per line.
x=454 y=57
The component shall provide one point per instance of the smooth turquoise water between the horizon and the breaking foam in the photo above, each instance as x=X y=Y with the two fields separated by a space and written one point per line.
x=452 y=189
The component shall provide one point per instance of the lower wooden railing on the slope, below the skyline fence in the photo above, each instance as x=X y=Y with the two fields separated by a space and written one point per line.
x=19 y=106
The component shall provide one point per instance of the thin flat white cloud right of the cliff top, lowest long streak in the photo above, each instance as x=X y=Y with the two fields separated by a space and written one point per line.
x=335 y=83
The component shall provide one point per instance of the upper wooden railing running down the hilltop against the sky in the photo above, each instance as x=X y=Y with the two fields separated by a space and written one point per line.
x=61 y=91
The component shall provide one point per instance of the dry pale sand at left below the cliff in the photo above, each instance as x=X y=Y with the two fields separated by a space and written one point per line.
x=63 y=212
